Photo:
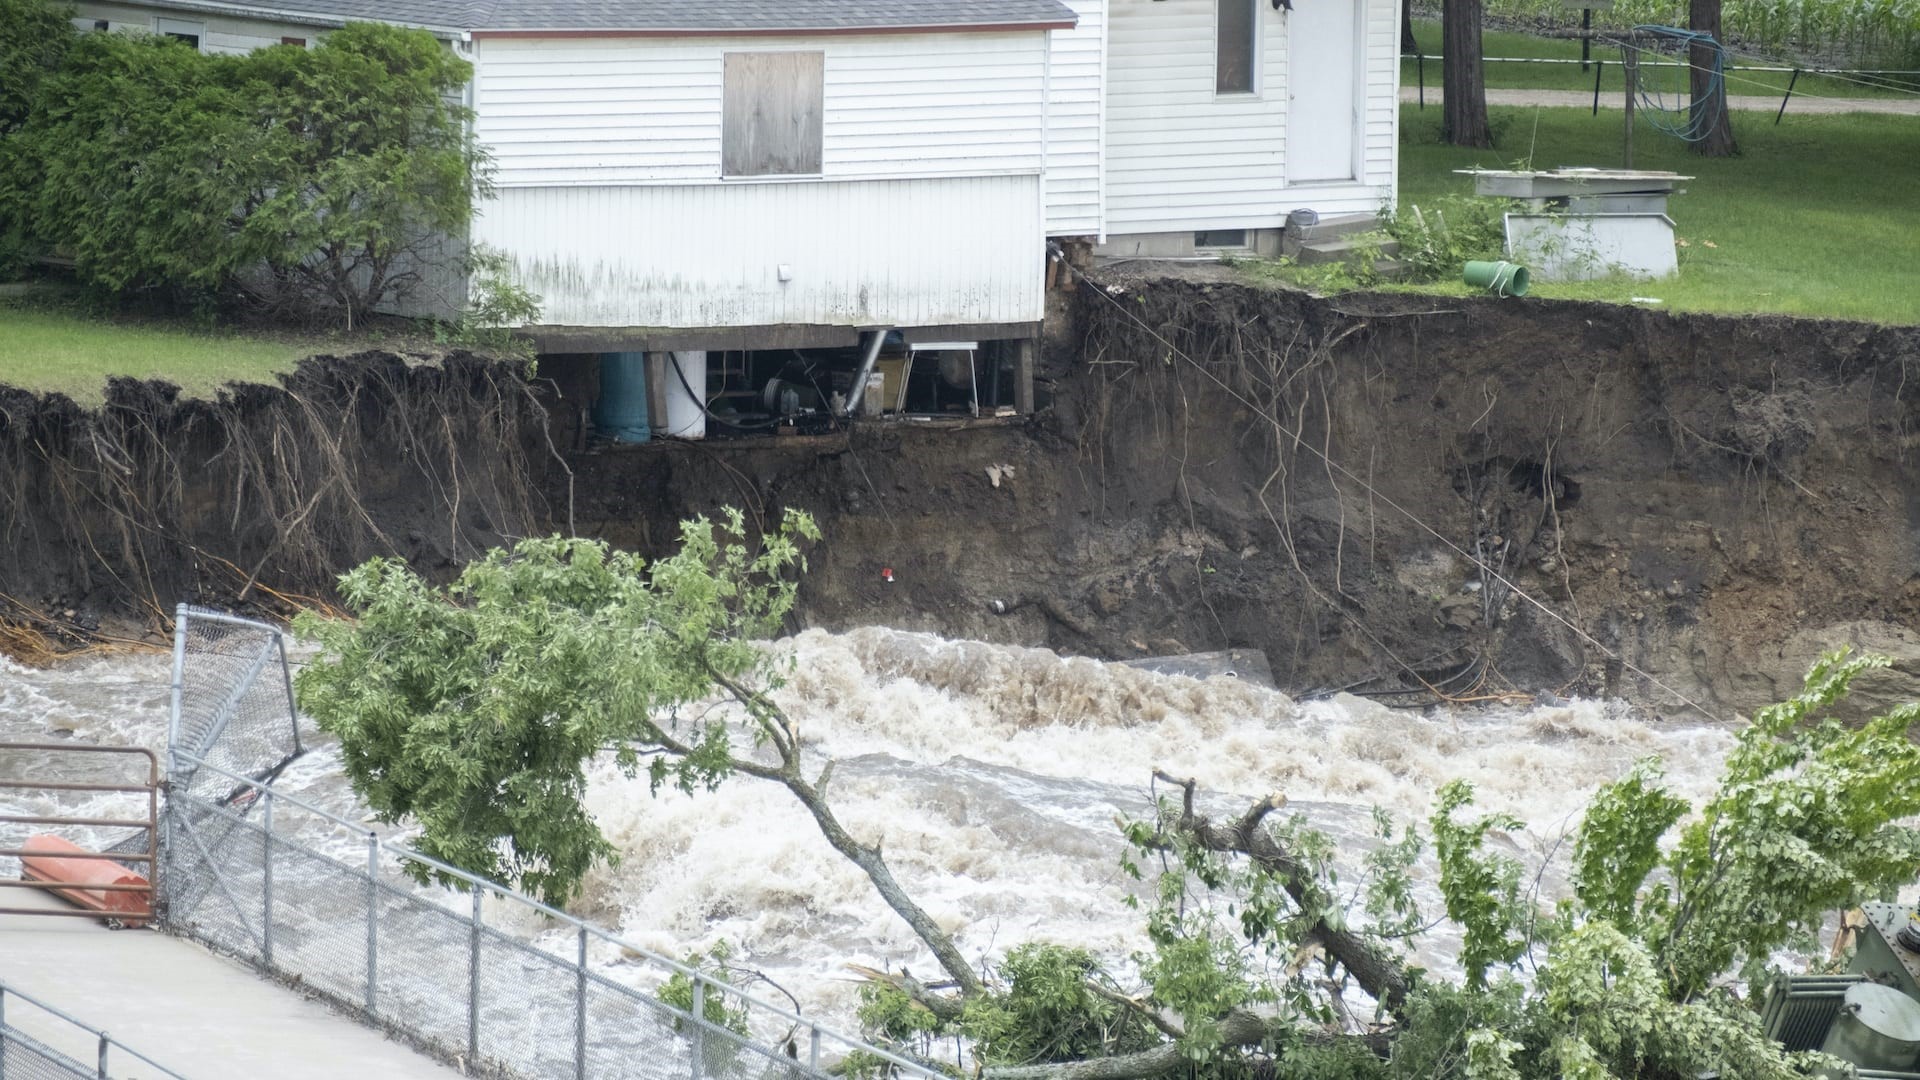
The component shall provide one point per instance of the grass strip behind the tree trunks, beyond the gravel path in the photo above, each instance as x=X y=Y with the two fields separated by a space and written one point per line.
x=1612 y=82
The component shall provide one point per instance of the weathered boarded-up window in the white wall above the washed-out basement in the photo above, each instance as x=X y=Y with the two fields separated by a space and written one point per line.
x=773 y=114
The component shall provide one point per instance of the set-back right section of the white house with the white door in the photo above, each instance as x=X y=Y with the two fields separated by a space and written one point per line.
x=1220 y=118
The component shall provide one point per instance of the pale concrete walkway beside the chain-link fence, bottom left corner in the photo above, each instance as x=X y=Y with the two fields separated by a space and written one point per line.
x=191 y=1012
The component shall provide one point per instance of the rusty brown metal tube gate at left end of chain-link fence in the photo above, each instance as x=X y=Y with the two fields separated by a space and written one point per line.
x=107 y=895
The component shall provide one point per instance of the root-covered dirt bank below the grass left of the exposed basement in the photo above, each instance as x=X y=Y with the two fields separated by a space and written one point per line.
x=262 y=497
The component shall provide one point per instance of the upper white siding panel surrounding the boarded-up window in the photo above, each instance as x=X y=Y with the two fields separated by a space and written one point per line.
x=648 y=110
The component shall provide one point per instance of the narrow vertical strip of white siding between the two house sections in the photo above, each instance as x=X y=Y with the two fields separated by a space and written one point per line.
x=1074 y=124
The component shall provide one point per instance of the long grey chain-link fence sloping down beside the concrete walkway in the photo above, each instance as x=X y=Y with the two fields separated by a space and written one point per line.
x=408 y=960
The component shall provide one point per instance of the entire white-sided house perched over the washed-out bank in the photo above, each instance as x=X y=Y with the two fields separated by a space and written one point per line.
x=815 y=174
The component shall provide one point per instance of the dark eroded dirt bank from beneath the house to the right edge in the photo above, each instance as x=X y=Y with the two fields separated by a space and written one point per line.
x=1712 y=499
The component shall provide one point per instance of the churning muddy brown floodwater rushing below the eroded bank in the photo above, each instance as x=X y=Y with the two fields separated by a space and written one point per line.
x=992 y=775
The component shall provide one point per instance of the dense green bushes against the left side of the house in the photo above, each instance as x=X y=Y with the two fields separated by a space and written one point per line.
x=308 y=182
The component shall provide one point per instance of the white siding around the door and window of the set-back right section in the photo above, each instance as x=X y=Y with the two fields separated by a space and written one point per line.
x=1182 y=159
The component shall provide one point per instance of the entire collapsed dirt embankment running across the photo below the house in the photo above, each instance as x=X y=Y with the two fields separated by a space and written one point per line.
x=1710 y=499
